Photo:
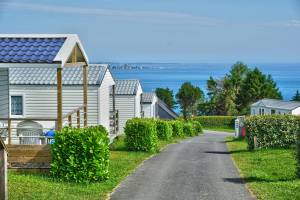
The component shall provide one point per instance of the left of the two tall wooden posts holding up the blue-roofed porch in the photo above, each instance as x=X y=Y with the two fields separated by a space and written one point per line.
x=59 y=99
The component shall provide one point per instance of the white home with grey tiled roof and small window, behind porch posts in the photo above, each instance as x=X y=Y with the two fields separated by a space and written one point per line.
x=33 y=93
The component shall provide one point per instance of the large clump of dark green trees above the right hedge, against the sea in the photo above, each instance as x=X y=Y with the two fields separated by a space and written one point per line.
x=233 y=94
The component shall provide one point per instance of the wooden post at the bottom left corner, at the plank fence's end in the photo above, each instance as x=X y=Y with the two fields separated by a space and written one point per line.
x=3 y=171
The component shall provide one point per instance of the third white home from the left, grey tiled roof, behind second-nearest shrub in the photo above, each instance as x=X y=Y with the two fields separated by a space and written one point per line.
x=127 y=100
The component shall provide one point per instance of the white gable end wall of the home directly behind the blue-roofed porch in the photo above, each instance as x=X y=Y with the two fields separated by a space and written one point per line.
x=104 y=101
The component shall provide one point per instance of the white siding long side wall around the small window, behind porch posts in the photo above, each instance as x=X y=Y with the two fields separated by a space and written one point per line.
x=41 y=101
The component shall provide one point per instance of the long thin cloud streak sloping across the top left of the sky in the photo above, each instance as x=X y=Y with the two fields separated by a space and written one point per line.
x=169 y=16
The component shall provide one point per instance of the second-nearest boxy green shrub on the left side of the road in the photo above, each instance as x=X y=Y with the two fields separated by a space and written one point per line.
x=141 y=135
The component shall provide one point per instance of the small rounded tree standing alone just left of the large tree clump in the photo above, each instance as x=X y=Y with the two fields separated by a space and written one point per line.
x=189 y=97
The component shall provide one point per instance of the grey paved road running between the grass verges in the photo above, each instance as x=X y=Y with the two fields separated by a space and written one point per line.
x=197 y=168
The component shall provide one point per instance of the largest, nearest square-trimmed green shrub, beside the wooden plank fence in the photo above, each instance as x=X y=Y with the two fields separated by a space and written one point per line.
x=81 y=155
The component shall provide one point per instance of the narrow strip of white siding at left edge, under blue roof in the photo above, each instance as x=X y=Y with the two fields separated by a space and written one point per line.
x=4 y=93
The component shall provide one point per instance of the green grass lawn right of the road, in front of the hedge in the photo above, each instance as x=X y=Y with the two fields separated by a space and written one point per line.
x=269 y=173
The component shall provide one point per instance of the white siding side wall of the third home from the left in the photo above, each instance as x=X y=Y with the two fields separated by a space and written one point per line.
x=125 y=104
